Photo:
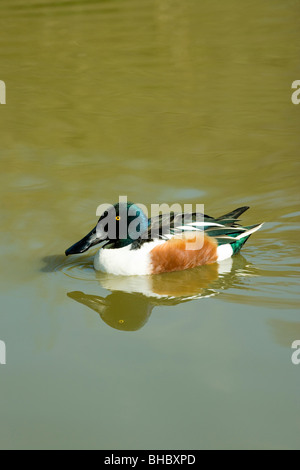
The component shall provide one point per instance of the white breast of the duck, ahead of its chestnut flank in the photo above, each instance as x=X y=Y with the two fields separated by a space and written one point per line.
x=124 y=261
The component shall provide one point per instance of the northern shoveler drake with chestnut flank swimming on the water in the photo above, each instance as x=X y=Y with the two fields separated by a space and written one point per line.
x=163 y=242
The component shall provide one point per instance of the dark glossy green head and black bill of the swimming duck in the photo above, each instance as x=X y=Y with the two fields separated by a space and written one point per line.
x=119 y=226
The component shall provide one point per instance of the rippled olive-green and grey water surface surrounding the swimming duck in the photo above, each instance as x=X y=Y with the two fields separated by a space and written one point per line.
x=164 y=101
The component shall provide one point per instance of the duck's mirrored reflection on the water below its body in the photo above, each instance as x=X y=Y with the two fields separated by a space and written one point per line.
x=132 y=299
